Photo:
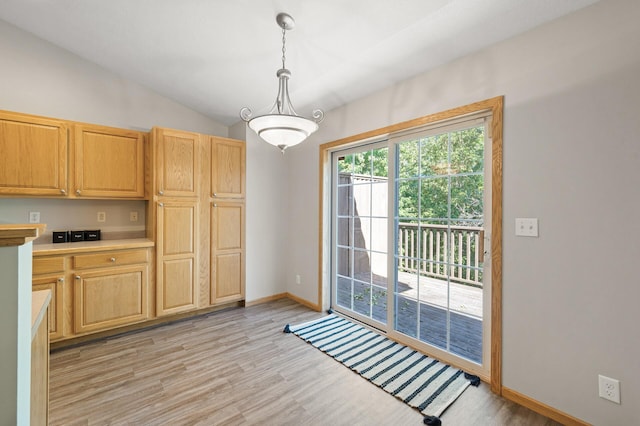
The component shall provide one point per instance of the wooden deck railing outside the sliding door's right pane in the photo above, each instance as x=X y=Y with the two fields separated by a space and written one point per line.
x=430 y=249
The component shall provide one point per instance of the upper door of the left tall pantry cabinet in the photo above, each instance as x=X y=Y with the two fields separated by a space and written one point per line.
x=176 y=163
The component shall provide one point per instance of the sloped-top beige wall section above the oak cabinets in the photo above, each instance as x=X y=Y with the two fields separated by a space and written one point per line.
x=39 y=78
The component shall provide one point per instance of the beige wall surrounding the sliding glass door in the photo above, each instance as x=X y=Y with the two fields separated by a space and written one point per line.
x=571 y=159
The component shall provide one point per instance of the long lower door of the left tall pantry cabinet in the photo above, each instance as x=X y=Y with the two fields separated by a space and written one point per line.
x=176 y=243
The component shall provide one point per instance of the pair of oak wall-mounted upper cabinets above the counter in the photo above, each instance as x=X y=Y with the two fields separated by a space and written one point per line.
x=37 y=159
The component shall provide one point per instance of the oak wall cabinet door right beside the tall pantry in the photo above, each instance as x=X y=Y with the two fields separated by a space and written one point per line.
x=109 y=162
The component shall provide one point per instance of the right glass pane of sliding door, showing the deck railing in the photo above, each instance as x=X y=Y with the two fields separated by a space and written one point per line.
x=439 y=217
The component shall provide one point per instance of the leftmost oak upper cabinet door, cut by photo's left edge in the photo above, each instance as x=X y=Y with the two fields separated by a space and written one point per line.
x=33 y=158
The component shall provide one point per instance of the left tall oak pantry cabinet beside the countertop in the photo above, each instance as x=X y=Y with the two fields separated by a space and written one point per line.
x=174 y=211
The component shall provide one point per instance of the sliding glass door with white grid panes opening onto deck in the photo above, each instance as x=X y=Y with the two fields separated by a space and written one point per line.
x=420 y=275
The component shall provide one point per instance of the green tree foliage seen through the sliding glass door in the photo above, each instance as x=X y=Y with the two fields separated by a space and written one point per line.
x=440 y=181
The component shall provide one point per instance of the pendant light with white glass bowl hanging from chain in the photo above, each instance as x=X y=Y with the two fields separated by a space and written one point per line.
x=282 y=126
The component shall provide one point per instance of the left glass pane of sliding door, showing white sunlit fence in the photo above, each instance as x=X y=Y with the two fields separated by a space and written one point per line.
x=361 y=232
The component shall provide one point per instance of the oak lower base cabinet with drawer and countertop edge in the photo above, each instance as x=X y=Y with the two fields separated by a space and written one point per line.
x=94 y=288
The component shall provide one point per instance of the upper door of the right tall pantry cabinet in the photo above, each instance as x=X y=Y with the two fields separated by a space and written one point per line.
x=227 y=168
